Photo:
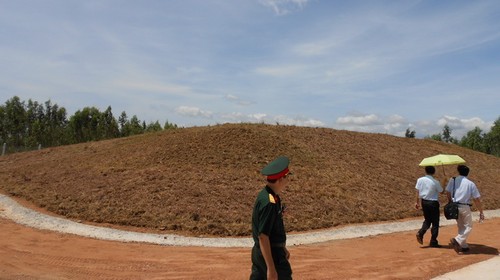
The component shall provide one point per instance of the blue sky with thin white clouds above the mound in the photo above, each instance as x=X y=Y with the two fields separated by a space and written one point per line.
x=373 y=66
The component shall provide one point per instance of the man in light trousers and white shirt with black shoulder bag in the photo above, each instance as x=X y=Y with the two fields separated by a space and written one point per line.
x=461 y=190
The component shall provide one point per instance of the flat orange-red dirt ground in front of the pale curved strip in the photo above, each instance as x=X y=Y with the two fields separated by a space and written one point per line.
x=27 y=253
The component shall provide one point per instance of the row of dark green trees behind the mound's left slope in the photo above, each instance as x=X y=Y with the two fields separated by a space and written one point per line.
x=27 y=125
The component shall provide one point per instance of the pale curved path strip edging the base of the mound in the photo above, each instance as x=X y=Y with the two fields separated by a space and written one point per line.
x=12 y=210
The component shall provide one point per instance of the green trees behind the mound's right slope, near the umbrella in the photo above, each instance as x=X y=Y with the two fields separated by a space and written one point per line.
x=475 y=139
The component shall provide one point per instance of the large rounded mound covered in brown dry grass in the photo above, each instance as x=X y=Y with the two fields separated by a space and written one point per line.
x=203 y=180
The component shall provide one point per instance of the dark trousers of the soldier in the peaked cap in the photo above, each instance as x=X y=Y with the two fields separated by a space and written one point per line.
x=259 y=267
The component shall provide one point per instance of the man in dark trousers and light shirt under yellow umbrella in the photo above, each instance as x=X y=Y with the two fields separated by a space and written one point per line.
x=428 y=190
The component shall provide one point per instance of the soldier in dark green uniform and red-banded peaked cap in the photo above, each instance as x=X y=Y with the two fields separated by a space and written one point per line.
x=269 y=253
